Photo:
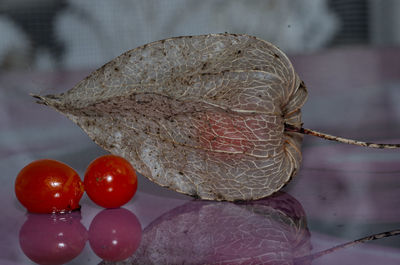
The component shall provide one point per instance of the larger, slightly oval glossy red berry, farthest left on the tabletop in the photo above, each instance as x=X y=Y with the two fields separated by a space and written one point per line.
x=48 y=186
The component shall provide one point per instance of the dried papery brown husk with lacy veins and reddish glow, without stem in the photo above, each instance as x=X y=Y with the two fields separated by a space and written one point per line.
x=202 y=115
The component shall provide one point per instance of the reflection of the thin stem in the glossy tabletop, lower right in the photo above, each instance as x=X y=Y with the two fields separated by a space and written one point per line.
x=311 y=257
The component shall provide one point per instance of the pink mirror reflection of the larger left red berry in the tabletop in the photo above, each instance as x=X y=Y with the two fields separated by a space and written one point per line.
x=52 y=238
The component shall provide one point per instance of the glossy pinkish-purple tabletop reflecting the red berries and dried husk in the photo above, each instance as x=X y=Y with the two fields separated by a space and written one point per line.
x=341 y=193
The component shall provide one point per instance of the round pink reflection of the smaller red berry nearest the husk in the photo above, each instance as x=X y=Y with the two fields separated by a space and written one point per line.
x=115 y=234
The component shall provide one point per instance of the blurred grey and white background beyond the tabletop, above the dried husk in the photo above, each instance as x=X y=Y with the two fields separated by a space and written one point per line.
x=74 y=34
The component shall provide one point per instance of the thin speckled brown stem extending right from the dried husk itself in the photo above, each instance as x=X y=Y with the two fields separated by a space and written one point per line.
x=291 y=128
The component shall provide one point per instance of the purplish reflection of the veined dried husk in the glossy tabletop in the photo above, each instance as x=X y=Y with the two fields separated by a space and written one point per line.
x=268 y=231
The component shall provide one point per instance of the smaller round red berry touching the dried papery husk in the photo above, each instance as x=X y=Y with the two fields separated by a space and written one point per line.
x=110 y=181
